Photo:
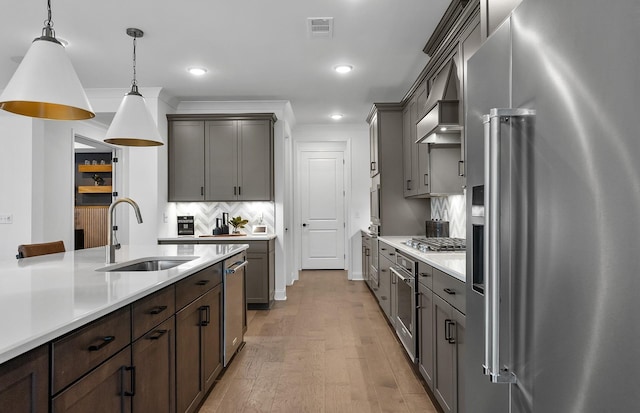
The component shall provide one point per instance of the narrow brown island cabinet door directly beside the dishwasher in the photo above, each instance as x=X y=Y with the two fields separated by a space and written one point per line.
x=211 y=337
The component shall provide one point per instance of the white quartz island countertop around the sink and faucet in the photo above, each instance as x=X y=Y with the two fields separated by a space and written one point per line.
x=44 y=297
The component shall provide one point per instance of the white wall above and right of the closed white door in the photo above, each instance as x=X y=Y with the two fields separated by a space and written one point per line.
x=357 y=137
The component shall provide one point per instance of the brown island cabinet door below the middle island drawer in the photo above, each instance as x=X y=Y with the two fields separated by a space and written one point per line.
x=154 y=360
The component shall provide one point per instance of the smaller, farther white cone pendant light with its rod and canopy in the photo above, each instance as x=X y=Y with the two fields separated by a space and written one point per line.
x=133 y=124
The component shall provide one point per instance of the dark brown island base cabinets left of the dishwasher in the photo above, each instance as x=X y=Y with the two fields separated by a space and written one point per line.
x=144 y=357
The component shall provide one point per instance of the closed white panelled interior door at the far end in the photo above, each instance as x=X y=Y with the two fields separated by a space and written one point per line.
x=322 y=210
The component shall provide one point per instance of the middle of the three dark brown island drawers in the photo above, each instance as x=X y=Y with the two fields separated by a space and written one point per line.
x=152 y=310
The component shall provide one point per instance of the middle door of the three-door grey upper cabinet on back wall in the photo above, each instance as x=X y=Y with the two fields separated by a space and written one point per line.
x=221 y=148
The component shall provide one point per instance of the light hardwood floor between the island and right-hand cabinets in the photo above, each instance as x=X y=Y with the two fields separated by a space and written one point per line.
x=327 y=348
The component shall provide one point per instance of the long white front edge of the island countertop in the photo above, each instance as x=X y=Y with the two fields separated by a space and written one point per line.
x=24 y=346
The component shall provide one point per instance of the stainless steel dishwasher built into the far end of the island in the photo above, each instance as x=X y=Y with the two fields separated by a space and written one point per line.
x=234 y=304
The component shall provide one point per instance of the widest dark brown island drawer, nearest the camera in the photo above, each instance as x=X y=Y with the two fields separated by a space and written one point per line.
x=82 y=350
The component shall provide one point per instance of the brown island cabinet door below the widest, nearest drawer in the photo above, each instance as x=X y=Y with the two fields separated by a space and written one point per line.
x=107 y=389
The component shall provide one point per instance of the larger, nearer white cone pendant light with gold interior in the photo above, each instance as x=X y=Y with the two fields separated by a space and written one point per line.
x=45 y=84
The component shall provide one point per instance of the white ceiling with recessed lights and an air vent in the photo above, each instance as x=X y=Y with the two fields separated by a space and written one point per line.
x=253 y=49
